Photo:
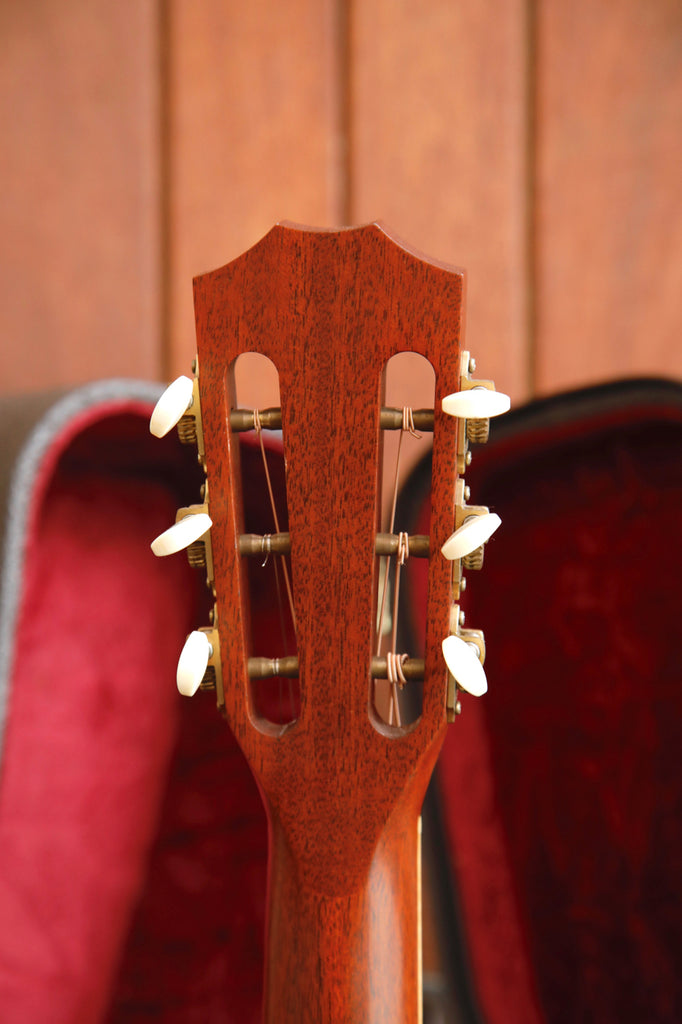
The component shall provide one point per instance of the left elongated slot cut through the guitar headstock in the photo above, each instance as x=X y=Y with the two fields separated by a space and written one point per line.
x=271 y=636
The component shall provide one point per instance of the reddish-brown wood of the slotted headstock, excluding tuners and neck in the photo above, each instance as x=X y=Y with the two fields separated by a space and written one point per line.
x=329 y=309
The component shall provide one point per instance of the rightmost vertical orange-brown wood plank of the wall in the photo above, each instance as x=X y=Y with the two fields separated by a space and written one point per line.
x=610 y=190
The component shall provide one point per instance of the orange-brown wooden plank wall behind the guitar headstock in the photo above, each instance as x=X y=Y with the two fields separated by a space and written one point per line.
x=536 y=144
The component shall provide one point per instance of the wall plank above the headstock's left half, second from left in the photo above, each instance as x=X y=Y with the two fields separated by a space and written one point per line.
x=253 y=136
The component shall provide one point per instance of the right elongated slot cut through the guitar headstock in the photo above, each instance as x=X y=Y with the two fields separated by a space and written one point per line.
x=406 y=435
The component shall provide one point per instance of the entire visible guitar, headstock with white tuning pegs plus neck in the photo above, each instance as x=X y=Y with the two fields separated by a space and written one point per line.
x=345 y=760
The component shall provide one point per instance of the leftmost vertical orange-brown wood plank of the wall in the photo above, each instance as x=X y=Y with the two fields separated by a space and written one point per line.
x=79 y=293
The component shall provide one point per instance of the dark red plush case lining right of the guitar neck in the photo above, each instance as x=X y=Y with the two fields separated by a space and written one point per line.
x=562 y=789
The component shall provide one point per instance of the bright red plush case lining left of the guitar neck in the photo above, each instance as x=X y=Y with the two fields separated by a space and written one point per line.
x=133 y=837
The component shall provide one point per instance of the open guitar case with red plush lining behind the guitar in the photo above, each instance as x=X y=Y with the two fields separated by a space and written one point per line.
x=133 y=841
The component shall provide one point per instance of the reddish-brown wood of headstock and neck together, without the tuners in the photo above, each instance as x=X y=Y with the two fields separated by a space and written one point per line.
x=343 y=790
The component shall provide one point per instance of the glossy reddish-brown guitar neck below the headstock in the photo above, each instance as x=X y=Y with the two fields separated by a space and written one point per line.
x=350 y=952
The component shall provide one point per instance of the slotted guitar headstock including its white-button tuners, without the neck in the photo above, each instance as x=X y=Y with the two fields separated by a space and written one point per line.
x=330 y=310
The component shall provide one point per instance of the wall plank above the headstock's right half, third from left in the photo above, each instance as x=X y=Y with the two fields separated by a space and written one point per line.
x=438 y=151
